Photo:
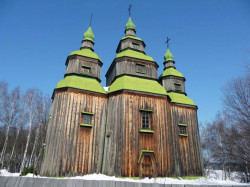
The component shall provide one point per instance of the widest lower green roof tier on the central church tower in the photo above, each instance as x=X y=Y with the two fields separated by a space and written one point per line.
x=137 y=84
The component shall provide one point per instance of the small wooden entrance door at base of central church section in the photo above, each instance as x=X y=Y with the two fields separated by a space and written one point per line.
x=147 y=165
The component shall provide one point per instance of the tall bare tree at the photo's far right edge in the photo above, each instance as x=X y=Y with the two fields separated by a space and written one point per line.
x=237 y=108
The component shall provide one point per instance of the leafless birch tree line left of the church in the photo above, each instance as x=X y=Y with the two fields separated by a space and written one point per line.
x=23 y=123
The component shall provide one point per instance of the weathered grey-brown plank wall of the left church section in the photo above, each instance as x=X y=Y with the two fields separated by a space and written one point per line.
x=71 y=149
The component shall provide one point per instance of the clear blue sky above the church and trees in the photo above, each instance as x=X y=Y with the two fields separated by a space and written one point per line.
x=210 y=40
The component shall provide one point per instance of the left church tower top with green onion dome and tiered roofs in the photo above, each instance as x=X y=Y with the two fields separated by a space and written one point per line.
x=83 y=70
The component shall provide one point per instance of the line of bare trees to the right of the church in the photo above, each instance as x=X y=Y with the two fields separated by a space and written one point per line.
x=226 y=141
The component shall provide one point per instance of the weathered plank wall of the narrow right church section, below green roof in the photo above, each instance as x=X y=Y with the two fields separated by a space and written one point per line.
x=187 y=156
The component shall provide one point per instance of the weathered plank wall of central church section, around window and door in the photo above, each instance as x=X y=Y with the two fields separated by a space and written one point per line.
x=124 y=120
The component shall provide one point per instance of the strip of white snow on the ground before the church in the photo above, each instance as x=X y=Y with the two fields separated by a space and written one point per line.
x=146 y=180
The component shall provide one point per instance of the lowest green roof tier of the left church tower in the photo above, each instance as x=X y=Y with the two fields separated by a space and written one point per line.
x=82 y=83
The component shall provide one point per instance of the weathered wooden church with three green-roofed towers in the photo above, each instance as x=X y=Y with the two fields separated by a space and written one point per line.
x=141 y=126
